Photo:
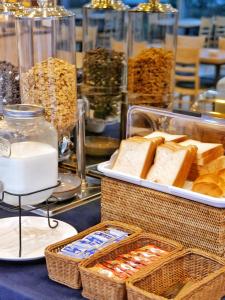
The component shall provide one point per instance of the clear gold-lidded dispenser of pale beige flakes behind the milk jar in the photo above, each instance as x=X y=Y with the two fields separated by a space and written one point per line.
x=46 y=45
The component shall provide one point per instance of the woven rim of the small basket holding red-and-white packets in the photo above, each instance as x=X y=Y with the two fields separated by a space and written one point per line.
x=83 y=266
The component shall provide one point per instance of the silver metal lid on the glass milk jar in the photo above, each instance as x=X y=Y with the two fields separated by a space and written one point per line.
x=23 y=111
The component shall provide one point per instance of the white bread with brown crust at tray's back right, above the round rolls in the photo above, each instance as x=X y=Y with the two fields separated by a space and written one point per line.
x=206 y=151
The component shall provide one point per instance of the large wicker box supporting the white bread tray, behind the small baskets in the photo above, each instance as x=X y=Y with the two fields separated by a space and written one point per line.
x=191 y=223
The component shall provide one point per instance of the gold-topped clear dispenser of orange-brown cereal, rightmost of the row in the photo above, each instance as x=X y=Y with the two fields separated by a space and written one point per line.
x=152 y=49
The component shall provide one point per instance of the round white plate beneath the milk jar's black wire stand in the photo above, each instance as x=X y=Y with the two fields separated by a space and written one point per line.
x=36 y=236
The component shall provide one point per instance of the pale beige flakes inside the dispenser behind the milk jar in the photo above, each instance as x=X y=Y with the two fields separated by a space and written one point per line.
x=52 y=84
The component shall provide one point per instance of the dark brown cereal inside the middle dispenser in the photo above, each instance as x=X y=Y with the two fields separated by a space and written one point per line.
x=104 y=73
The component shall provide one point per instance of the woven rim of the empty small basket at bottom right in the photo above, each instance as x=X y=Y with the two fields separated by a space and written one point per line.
x=130 y=283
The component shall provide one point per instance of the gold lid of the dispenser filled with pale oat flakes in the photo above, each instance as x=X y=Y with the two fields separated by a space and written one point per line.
x=46 y=9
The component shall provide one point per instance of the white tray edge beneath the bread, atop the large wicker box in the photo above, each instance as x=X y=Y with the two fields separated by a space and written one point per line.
x=185 y=192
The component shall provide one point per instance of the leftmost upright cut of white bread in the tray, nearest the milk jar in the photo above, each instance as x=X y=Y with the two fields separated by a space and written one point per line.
x=136 y=156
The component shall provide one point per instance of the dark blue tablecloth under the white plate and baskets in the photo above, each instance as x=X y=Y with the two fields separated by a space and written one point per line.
x=26 y=281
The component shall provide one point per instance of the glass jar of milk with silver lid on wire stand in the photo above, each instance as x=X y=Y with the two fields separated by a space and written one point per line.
x=28 y=154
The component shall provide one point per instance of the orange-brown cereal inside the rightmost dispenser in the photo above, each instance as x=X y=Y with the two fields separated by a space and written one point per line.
x=150 y=77
